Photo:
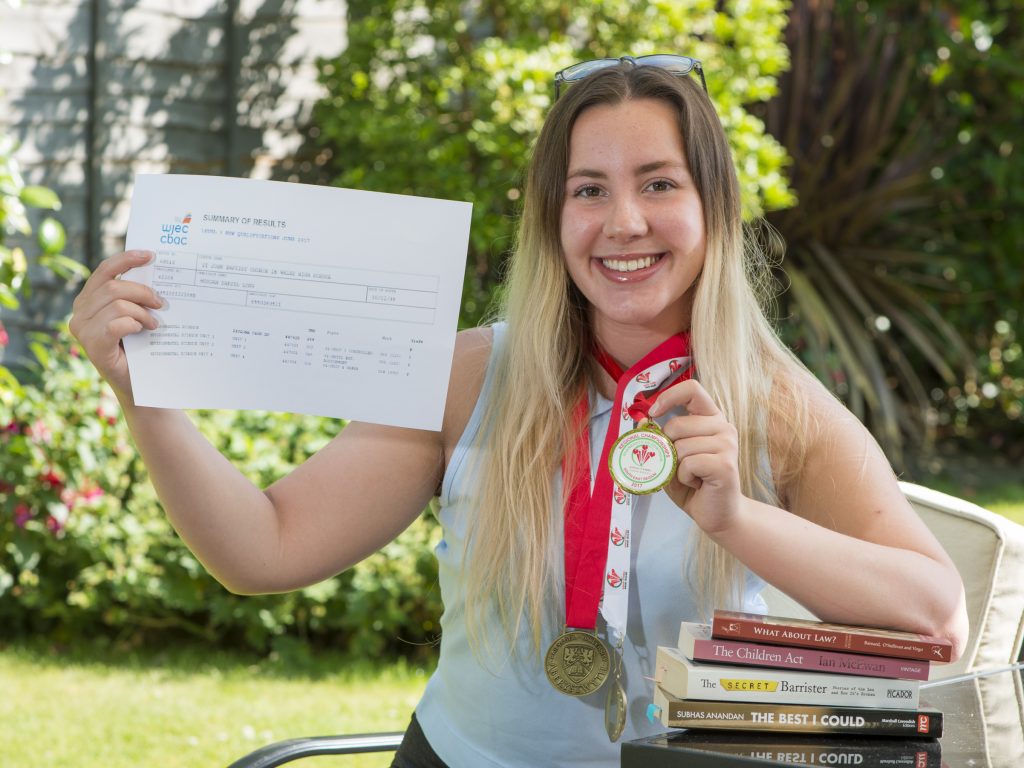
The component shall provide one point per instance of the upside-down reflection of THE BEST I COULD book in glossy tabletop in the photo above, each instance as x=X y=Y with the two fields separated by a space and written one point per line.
x=699 y=749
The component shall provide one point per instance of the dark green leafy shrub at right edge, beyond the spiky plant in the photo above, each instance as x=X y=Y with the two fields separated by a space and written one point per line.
x=975 y=69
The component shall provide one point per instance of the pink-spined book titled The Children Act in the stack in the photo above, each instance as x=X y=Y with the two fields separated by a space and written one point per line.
x=697 y=643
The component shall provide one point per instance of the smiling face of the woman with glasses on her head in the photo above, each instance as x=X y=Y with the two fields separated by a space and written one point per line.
x=632 y=224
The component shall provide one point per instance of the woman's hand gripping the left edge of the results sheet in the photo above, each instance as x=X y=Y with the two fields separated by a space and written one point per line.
x=108 y=310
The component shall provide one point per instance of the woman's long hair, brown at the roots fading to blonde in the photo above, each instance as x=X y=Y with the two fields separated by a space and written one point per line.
x=544 y=366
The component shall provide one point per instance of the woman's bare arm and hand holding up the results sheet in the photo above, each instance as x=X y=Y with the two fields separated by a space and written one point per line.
x=353 y=497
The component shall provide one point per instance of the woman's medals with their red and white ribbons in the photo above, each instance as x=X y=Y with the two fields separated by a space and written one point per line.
x=598 y=522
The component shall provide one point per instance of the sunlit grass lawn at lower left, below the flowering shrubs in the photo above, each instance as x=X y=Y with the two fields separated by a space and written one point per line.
x=187 y=708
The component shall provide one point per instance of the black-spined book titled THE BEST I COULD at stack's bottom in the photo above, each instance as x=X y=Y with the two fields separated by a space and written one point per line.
x=745 y=716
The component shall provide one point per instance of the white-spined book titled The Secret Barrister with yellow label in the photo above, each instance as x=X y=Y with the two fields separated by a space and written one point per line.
x=686 y=679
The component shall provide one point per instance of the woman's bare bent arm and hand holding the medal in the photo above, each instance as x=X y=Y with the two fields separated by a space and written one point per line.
x=849 y=547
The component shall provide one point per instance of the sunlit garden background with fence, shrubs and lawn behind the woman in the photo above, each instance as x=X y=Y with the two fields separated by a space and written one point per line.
x=883 y=142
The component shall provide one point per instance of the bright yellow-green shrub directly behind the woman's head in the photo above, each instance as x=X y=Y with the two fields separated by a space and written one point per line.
x=446 y=99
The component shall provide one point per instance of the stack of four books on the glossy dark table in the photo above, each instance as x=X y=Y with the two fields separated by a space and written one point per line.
x=752 y=673
